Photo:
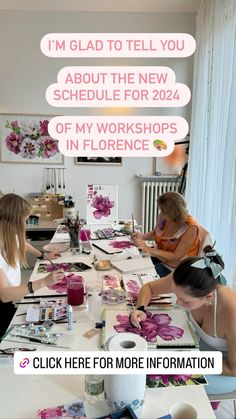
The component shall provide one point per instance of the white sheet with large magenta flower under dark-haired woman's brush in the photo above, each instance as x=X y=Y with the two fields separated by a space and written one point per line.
x=163 y=328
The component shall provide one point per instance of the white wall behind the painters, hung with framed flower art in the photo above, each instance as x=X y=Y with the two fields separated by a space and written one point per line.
x=25 y=74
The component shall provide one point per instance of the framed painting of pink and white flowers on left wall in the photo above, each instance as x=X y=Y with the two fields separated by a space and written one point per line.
x=25 y=139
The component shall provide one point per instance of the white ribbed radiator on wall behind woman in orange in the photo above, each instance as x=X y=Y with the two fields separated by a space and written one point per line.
x=151 y=190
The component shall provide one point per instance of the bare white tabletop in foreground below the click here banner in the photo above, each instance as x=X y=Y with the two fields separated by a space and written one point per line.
x=22 y=396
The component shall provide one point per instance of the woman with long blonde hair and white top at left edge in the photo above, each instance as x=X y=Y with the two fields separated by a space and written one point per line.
x=14 y=210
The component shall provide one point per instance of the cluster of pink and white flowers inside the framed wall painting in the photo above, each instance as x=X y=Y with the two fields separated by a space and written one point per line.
x=30 y=139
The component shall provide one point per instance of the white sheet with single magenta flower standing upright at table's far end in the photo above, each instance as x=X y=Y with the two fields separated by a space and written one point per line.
x=101 y=204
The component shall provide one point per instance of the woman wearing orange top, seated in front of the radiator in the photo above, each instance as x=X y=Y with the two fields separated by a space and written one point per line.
x=176 y=234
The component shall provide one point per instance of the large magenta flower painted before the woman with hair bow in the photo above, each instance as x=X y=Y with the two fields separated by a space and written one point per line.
x=154 y=325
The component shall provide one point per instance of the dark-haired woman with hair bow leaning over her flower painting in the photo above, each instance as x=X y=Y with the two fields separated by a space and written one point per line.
x=197 y=283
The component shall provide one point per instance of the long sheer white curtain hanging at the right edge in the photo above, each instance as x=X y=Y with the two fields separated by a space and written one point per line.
x=211 y=186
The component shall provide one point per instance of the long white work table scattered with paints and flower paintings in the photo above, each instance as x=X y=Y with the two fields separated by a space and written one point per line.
x=22 y=396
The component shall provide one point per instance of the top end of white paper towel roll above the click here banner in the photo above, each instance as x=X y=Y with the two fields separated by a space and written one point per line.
x=126 y=342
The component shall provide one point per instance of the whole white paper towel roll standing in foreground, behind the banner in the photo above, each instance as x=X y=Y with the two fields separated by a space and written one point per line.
x=123 y=390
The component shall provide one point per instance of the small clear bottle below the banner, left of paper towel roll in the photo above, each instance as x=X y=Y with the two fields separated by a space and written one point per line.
x=94 y=388
